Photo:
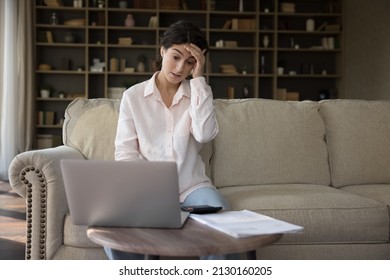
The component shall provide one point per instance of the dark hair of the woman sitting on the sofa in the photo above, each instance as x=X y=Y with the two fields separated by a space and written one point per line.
x=182 y=32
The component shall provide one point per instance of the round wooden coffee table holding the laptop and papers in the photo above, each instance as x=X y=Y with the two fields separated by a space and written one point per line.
x=194 y=239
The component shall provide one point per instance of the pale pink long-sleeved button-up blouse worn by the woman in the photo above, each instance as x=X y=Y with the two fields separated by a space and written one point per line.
x=148 y=130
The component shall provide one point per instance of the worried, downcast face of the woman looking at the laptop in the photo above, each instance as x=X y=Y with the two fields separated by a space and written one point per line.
x=177 y=63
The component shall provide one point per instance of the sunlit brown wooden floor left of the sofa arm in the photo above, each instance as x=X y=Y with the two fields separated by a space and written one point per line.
x=12 y=224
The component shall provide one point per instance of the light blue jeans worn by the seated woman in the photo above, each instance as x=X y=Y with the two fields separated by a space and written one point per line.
x=206 y=195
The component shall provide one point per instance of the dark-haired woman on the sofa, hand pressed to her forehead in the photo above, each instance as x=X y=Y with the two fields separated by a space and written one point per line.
x=168 y=117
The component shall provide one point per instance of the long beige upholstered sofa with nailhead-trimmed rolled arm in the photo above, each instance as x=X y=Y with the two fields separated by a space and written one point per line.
x=325 y=166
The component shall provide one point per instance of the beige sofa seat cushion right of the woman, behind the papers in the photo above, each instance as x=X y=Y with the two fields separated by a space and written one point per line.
x=328 y=215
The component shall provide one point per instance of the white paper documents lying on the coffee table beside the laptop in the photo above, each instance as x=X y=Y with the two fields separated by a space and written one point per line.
x=245 y=223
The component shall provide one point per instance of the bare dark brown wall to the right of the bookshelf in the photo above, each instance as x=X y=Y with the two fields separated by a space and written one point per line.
x=367 y=49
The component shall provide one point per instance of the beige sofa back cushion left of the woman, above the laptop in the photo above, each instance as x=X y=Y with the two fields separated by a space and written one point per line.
x=90 y=126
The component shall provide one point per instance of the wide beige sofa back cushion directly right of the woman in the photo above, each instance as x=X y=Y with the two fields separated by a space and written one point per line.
x=269 y=142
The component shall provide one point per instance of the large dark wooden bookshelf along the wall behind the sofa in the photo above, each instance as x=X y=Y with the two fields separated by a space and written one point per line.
x=312 y=60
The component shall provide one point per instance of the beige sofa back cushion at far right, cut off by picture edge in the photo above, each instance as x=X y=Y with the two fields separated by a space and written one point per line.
x=358 y=136
